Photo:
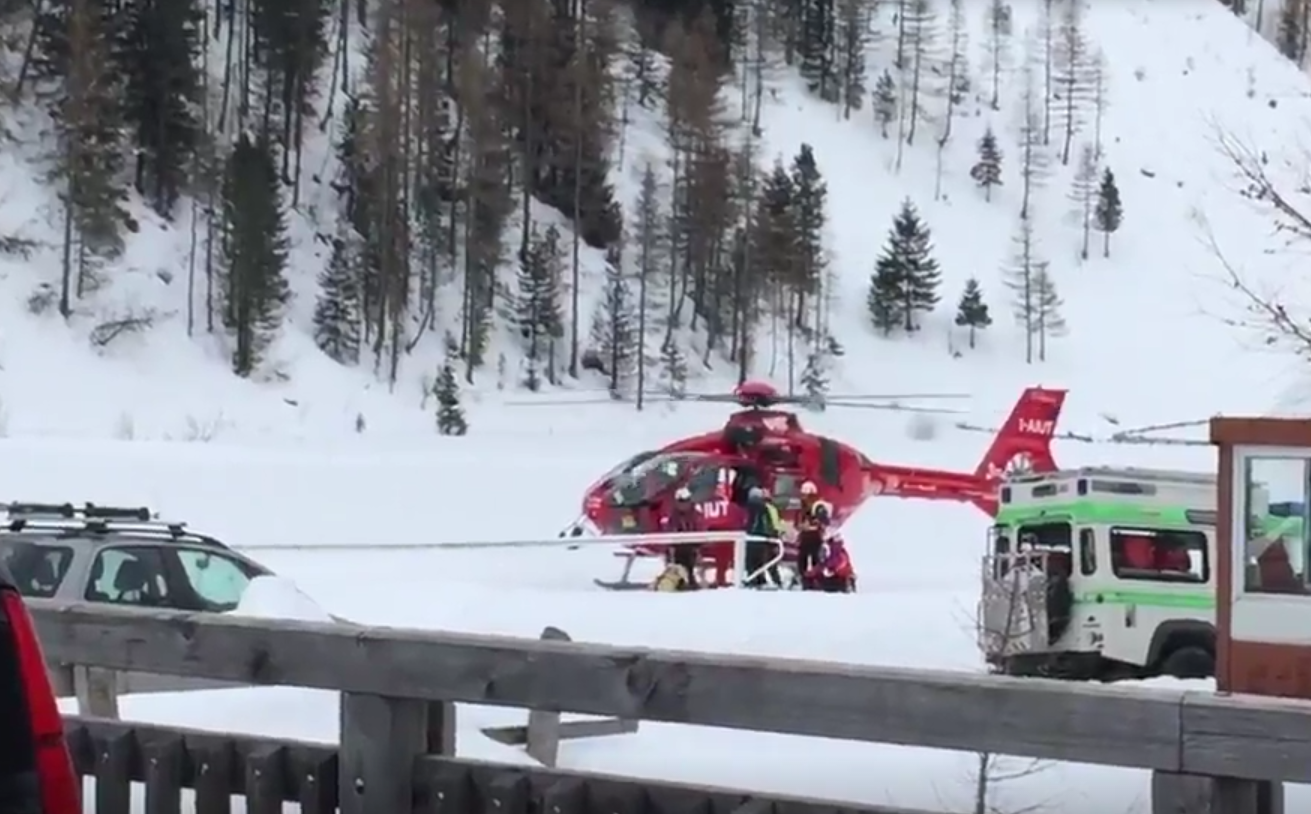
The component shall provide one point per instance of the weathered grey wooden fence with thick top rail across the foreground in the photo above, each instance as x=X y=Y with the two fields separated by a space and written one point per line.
x=1211 y=754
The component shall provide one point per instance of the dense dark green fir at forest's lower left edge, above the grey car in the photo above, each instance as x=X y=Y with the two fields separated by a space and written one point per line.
x=255 y=256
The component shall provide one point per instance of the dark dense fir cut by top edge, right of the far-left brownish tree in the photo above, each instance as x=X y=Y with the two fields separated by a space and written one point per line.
x=159 y=60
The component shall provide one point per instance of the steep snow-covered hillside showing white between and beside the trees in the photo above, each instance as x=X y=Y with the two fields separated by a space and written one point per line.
x=1146 y=335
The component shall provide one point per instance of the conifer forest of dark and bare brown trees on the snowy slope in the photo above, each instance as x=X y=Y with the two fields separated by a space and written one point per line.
x=454 y=125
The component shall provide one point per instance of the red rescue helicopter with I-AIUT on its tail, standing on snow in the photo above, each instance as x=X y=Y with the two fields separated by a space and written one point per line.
x=769 y=448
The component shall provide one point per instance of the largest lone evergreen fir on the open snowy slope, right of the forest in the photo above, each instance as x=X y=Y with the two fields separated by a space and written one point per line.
x=907 y=272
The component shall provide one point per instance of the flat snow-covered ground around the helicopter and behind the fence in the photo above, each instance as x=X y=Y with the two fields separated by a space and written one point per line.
x=918 y=567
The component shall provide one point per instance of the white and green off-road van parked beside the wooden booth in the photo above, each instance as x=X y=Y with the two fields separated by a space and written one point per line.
x=1102 y=573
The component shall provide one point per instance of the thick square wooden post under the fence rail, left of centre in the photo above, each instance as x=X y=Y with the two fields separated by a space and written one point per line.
x=381 y=741
